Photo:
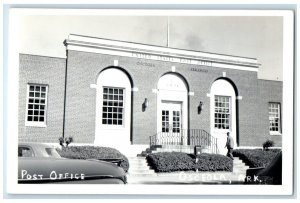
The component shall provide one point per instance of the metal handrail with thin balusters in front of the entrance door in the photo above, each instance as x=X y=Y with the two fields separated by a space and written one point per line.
x=190 y=137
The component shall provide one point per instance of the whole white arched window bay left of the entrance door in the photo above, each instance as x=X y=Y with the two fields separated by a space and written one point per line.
x=113 y=107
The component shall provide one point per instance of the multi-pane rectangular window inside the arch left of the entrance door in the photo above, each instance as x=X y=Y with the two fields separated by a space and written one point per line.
x=113 y=106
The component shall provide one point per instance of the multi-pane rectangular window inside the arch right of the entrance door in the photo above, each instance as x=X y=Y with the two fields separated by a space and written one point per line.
x=222 y=112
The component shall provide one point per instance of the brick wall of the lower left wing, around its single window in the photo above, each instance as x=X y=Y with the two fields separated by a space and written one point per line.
x=49 y=71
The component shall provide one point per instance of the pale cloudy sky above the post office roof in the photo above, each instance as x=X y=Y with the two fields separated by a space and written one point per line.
x=258 y=37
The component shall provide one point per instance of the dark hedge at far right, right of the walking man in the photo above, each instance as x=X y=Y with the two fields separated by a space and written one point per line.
x=256 y=157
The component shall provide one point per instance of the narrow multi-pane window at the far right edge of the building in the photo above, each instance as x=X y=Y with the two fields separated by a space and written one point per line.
x=274 y=117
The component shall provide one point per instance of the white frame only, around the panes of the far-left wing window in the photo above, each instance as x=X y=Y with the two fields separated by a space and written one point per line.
x=36 y=123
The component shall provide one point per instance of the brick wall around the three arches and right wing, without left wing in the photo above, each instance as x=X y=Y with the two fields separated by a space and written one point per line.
x=83 y=69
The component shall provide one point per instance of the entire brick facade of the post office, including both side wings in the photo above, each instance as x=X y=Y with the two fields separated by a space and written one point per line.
x=83 y=69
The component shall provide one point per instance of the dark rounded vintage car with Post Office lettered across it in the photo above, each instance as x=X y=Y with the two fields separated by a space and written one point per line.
x=41 y=163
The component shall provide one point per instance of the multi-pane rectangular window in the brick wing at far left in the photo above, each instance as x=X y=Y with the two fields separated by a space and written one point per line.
x=36 y=105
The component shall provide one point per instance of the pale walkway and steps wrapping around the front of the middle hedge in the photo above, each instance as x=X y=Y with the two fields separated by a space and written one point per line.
x=141 y=174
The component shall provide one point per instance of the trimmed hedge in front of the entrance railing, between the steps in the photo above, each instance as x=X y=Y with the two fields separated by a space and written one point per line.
x=178 y=161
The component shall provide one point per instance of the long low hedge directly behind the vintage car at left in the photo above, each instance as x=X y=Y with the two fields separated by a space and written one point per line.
x=92 y=152
